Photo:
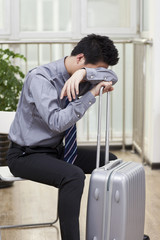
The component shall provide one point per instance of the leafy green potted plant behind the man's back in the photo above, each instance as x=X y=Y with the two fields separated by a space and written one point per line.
x=11 y=78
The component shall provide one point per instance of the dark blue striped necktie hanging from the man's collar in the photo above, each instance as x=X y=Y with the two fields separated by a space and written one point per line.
x=70 y=151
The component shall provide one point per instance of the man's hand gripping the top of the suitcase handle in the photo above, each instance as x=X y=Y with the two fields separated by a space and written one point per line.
x=107 y=88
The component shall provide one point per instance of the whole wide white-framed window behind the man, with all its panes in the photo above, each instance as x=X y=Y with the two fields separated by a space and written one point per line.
x=48 y=19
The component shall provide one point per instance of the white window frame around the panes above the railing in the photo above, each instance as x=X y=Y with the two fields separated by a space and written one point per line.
x=79 y=24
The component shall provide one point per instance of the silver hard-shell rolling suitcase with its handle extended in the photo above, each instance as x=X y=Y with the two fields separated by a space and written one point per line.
x=116 y=199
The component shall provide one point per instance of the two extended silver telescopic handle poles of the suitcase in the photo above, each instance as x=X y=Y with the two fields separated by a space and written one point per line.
x=99 y=129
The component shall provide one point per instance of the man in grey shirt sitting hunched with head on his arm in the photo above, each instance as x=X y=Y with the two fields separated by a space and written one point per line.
x=54 y=97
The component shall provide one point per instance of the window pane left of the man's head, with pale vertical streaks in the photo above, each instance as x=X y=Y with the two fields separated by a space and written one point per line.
x=45 y=16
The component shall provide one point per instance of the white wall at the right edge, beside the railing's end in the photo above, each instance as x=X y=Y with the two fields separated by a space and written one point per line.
x=153 y=78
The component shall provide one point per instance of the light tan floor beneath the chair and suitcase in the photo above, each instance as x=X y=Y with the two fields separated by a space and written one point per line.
x=32 y=202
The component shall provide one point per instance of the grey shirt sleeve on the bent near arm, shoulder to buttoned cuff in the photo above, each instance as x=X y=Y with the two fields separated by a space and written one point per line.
x=51 y=109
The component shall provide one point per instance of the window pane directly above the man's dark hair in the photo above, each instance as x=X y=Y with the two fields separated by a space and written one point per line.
x=109 y=16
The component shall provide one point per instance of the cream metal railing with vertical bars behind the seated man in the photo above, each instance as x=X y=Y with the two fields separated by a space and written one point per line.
x=41 y=52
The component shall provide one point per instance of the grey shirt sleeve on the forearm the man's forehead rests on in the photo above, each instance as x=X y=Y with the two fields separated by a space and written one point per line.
x=95 y=75
